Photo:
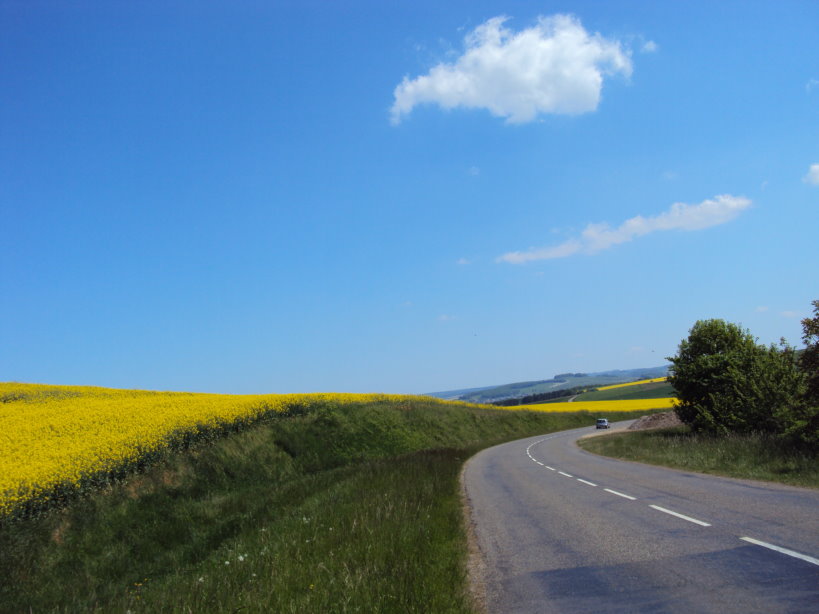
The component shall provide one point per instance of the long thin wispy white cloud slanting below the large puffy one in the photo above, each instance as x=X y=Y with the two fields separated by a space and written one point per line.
x=598 y=237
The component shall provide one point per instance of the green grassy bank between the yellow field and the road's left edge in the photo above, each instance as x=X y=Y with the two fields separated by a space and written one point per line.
x=352 y=509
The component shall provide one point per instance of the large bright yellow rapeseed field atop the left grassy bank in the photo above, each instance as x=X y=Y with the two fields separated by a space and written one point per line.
x=53 y=436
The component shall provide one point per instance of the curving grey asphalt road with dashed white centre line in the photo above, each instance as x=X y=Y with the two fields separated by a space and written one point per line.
x=562 y=530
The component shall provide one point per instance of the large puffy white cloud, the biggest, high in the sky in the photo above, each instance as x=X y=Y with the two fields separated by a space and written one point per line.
x=555 y=66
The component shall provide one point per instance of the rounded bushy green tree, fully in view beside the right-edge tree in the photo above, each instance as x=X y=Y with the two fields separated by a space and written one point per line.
x=726 y=382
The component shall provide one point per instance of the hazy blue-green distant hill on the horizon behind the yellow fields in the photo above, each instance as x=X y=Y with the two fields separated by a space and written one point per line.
x=562 y=381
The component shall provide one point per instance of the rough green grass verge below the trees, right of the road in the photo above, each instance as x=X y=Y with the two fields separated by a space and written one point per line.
x=754 y=457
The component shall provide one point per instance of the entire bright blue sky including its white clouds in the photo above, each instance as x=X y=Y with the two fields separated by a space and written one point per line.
x=250 y=197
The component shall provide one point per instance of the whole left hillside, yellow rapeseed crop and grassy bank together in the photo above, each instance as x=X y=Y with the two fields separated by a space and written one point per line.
x=306 y=503
